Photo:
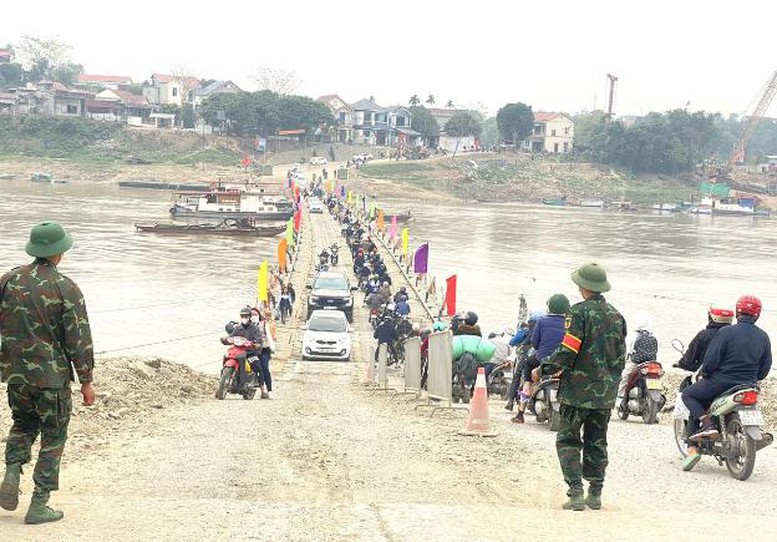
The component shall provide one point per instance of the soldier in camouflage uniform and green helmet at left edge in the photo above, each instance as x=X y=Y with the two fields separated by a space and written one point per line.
x=45 y=337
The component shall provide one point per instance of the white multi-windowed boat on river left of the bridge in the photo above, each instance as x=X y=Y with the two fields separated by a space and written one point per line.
x=231 y=204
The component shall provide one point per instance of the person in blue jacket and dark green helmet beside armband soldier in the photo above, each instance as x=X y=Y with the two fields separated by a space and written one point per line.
x=545 y=338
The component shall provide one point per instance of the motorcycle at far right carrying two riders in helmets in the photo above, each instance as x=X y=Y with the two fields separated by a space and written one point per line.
x=738 y=418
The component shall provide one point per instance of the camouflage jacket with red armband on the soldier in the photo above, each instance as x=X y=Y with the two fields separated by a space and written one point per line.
x=591 y=355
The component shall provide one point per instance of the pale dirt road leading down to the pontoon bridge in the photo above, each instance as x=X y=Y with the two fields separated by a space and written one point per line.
x=328 y=460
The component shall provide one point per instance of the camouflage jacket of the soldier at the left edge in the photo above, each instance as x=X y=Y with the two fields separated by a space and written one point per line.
x=44 y=328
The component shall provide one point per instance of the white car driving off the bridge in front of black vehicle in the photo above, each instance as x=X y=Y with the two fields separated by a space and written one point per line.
x=327 y=336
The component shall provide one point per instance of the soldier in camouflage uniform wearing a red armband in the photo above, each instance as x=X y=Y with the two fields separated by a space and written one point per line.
x=591 y=357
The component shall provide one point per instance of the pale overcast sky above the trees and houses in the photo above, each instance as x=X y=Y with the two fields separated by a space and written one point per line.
x=554 y=56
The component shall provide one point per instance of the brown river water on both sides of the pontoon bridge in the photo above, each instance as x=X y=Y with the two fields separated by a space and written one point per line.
x=169 y=296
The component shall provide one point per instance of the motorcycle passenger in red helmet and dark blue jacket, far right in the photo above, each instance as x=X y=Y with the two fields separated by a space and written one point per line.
x=739 y=354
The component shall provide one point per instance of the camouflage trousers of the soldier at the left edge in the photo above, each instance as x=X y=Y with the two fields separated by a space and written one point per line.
x=44 y=411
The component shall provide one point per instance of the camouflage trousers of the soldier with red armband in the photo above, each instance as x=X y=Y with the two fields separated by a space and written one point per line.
x=593 y=445
